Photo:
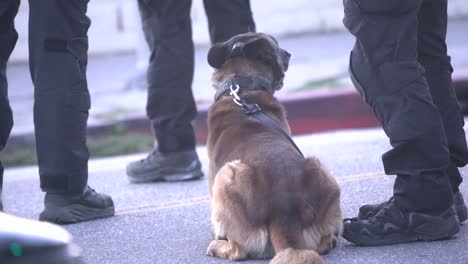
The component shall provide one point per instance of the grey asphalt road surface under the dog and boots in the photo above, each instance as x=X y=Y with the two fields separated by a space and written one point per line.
x=169 y=222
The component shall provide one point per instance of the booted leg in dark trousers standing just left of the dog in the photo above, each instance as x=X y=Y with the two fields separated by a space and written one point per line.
x=170 y=106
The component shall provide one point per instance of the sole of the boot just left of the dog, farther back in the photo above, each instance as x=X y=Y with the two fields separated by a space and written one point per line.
x=171 y=176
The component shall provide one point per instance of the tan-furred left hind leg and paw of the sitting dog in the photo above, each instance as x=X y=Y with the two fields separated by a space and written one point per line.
x=235 y=235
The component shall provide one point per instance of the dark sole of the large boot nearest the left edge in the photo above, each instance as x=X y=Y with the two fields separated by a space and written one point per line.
x=74 y=213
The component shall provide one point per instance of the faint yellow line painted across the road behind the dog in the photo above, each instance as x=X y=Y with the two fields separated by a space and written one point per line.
x=205 y=199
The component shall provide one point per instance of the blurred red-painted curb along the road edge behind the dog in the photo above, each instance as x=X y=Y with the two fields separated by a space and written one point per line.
x=308 y=112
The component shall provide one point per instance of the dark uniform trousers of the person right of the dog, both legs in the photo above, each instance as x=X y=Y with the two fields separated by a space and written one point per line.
x=400 y=66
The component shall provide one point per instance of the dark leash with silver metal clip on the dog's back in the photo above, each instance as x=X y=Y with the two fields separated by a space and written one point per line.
x=255 y=111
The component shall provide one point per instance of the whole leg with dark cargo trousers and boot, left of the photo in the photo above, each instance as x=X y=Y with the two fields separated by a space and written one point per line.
x=58 y=45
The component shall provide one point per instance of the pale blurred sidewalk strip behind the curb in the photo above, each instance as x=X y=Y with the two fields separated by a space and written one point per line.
x=117 y=91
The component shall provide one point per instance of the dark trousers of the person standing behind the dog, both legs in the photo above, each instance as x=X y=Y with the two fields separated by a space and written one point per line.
x=168 y=31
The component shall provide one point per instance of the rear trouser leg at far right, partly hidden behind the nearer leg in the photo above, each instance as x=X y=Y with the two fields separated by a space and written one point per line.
x=432 y=50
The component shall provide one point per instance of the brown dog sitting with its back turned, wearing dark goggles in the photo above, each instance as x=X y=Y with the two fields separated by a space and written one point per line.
x=267 y=200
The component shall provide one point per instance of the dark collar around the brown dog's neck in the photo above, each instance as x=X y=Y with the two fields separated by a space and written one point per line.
x=250 y=83
